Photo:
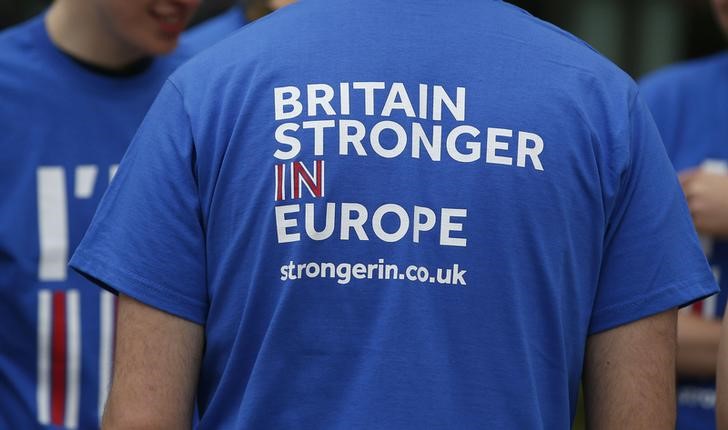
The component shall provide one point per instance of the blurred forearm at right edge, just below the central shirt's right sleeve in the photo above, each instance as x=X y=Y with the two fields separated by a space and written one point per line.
x=697 y=346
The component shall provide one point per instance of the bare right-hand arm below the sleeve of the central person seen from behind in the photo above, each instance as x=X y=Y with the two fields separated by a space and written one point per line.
x=629 y=375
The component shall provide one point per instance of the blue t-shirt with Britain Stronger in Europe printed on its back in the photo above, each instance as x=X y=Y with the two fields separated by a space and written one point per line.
x=397 y=214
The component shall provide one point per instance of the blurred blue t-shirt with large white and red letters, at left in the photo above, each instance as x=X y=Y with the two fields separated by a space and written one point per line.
x=64 y=130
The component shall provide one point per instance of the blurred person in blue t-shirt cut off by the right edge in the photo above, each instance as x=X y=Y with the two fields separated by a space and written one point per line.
x=689 y=102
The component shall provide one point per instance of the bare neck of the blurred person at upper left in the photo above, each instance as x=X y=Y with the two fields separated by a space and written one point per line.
x=74 y=29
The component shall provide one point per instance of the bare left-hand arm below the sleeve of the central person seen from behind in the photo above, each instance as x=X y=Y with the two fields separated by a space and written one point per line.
x=156 y=364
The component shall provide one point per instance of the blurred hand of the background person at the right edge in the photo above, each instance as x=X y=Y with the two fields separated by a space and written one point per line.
x=707 y=196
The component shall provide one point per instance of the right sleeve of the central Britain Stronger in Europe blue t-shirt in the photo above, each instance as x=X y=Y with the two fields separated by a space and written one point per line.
x=652 y=260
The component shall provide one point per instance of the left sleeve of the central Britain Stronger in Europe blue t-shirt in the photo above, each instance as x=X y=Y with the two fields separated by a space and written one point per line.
x=146 y=240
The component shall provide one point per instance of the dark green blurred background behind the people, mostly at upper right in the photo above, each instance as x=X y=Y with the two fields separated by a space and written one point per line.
x=639 y=35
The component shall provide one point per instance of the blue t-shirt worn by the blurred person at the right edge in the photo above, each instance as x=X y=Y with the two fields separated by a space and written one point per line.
x=690 y=105
